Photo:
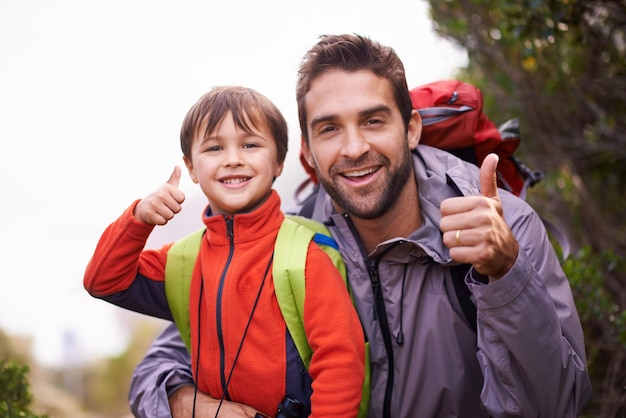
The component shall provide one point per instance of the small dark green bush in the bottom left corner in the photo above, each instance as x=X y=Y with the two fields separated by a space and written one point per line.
x=15 y=395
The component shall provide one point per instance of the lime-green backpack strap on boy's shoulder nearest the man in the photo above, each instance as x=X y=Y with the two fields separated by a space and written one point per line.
x=291 y=249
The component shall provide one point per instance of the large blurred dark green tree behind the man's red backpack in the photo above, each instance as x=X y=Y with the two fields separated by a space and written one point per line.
x=560 y=67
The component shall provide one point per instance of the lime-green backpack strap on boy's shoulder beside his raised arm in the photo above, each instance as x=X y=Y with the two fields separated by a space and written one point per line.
x=181 y=259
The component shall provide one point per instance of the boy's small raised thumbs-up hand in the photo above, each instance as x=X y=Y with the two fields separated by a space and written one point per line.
x=163 y=203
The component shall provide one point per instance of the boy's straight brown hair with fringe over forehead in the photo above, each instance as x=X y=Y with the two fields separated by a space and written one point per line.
x=248 y=107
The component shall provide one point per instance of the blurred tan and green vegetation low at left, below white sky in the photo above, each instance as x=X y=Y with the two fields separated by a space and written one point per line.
x=103 y=385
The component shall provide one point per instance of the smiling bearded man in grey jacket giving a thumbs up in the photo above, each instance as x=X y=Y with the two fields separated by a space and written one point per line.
x=404 y=216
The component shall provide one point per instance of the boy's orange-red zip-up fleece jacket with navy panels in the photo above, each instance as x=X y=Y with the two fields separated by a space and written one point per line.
x=234 y=258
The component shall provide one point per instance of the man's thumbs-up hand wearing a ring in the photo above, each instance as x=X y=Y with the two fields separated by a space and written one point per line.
x=474 y=228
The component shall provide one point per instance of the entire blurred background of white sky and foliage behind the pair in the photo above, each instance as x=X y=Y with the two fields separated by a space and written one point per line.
x=92 y=96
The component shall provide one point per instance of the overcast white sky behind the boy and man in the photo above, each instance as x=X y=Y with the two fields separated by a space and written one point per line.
x=92 y=96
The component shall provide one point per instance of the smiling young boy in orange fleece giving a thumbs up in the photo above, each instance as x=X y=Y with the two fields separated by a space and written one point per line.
x=234 y=142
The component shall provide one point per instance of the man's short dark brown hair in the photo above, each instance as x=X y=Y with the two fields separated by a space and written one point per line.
x=351 y=53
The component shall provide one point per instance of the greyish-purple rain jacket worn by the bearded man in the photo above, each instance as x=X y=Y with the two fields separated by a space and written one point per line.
x=527 y=358
